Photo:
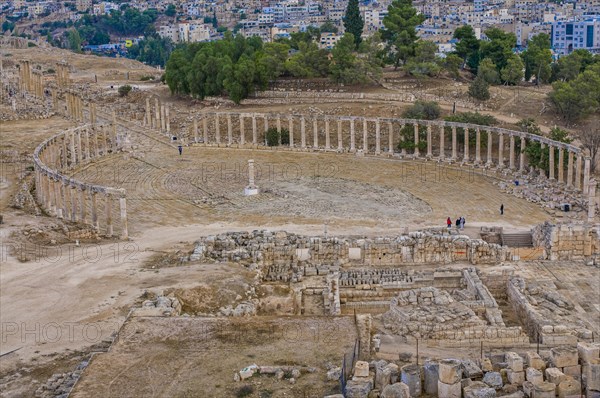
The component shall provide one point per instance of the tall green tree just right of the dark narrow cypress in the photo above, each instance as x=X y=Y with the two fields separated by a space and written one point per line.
x=400 y=30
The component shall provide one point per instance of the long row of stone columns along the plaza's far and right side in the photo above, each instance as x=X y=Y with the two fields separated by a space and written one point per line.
x=573 y=175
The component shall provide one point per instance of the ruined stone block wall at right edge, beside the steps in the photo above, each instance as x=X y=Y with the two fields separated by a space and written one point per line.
x=572 y=241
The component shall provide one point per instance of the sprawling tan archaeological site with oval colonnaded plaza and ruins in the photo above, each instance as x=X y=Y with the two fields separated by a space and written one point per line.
x=316 y=264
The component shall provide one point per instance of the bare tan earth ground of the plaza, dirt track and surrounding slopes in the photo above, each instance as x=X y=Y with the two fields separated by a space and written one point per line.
x=53 y=311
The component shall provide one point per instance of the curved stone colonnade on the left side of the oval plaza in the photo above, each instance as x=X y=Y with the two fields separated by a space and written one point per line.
x=68 y=198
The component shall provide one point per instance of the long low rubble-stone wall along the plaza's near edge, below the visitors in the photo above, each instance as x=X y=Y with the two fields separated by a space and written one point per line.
x=283 y=253
